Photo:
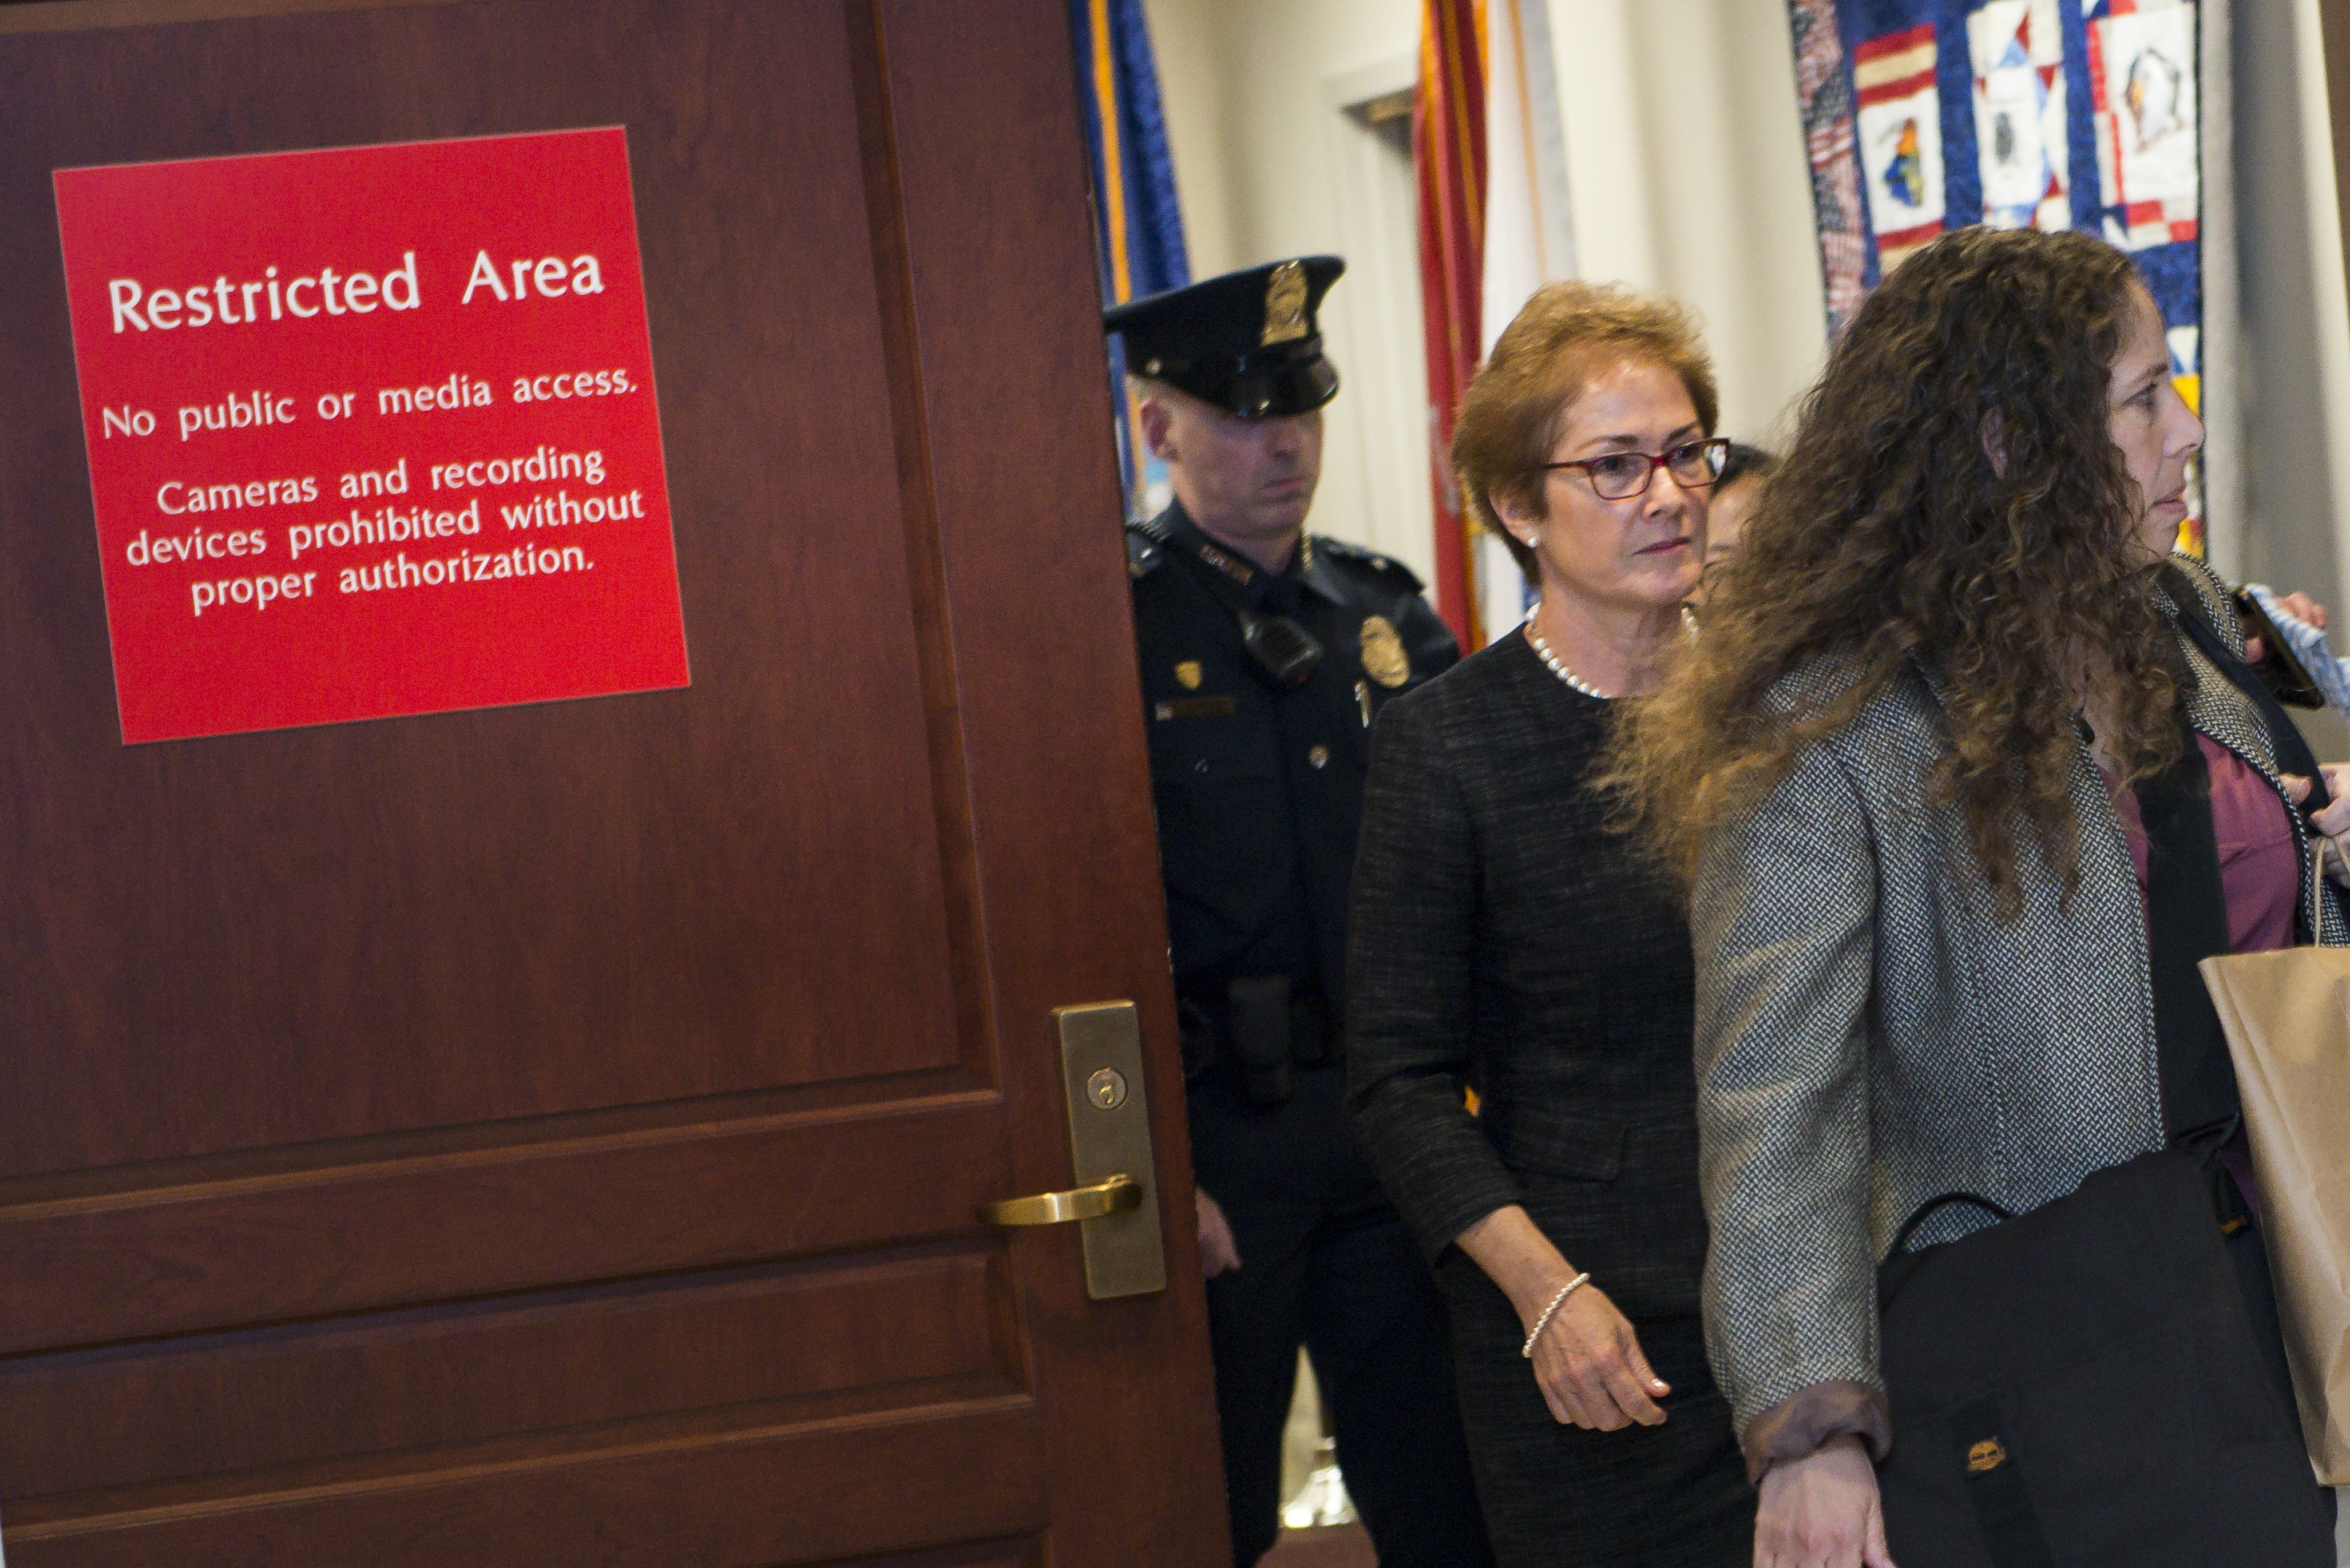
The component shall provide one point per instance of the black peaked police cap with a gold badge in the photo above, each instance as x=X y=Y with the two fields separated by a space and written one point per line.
x=1244 y=342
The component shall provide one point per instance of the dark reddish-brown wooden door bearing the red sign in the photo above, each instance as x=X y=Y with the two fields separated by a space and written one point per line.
x=553 y=1137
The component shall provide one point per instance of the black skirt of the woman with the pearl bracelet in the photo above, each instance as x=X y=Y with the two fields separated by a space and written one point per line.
x=1559 y=1496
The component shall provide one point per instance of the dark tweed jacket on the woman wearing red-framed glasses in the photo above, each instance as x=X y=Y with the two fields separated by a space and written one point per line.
x=1505 y=939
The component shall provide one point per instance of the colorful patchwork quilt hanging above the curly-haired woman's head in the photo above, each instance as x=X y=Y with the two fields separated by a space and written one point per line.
x=1926 y=116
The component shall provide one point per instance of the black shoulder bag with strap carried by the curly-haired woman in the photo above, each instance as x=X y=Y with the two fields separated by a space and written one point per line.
x=2083 y=1383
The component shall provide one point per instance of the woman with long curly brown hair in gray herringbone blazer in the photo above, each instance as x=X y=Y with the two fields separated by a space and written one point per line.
x=1907 y=777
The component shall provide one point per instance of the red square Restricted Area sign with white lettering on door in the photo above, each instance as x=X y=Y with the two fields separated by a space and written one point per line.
x=372 y=431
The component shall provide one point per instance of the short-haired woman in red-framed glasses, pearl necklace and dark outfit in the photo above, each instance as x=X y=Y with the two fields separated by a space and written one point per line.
x=1508 y=942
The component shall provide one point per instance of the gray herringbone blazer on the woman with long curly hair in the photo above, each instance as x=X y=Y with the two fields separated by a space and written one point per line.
x=1869 y=1036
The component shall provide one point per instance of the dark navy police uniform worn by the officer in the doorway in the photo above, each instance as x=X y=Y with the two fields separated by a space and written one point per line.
x=1261 y=793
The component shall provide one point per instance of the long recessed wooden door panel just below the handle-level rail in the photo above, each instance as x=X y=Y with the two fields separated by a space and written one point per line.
x=873 y=1332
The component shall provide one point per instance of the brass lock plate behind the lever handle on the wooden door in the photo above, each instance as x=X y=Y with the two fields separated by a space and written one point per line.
x=1110 y=1132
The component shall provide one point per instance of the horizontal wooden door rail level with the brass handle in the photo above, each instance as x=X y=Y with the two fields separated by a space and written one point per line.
x=349 y=1240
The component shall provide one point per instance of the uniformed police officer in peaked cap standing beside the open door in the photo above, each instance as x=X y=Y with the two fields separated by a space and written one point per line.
x=1265 y=659
